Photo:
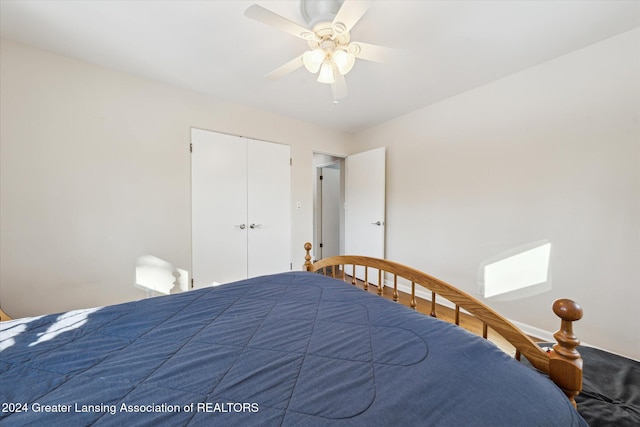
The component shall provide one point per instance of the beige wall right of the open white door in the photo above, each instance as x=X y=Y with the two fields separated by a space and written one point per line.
x=551 y=153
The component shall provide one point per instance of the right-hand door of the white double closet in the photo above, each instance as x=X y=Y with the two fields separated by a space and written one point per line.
x=269 y=208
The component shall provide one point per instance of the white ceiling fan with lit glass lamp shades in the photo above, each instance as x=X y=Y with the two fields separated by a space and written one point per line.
x=331 y=52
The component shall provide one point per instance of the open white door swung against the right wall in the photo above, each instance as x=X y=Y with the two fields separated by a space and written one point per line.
x=365 y=205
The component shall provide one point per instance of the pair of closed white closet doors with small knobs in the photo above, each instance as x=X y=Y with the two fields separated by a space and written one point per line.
x=240 y=208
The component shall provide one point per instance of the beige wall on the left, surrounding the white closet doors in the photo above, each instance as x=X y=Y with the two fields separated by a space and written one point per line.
x=95 y=173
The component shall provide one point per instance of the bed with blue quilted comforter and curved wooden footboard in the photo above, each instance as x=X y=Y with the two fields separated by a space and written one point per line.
x=296 y=348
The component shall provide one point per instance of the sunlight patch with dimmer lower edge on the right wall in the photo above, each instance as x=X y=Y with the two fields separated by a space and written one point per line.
x=522 y=272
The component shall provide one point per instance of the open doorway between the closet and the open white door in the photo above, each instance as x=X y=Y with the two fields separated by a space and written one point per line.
x=329 y=215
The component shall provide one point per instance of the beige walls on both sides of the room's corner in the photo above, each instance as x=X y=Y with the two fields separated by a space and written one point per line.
x=95 y=172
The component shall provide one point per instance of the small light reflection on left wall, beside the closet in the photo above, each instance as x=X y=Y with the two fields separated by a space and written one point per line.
x=157 y=276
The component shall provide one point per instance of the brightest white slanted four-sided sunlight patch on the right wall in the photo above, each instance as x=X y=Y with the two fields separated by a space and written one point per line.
x=515 y=272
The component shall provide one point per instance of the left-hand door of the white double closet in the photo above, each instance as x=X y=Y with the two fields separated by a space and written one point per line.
x=219 y=208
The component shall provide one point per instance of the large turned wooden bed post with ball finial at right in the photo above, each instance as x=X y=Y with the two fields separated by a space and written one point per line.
x=565 y=363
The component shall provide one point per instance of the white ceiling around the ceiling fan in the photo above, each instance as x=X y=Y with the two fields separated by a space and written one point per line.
x=209 y=46
